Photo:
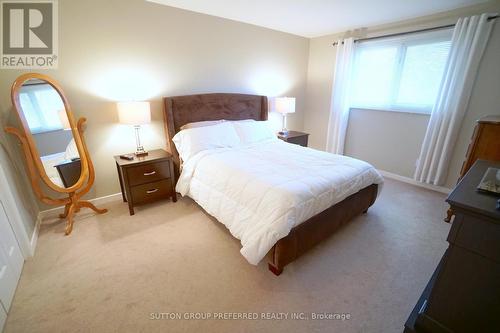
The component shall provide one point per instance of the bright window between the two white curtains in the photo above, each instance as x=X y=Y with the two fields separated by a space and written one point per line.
x=400 y=74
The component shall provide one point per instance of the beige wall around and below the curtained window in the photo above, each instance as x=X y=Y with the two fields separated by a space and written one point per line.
x=391 y=141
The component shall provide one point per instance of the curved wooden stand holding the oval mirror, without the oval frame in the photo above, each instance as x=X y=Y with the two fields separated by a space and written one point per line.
x=73 y=203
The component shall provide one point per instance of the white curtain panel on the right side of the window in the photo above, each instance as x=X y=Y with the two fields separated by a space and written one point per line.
x=469 y=40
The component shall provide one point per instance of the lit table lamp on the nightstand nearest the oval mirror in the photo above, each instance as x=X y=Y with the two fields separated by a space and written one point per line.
x=135 y=114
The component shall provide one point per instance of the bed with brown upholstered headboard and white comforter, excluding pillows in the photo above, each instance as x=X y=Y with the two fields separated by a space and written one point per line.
x=279 y=199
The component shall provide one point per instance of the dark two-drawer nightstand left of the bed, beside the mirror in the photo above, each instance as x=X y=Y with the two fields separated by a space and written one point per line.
x=147 y=178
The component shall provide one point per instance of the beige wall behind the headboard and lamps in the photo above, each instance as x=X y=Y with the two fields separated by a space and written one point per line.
x=122 y=50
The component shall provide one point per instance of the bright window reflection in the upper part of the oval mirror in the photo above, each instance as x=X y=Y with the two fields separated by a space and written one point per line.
x=41 y=104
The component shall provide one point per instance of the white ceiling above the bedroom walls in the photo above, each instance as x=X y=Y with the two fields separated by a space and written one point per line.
x=312 y=18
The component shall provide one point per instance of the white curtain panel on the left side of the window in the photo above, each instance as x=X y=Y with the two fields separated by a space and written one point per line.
x=339 y=107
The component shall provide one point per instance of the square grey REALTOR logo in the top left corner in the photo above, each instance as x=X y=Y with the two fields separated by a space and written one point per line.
x=29 y=34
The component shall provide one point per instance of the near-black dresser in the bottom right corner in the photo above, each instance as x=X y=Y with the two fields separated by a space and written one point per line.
x=463 y=294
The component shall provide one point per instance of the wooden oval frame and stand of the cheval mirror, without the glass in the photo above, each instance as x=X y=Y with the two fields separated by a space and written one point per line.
x=36 y=170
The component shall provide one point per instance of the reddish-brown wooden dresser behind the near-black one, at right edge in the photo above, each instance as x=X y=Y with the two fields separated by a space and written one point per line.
x=485 y=144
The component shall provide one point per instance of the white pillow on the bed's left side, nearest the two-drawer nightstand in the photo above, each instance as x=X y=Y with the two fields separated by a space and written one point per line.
x=193 y=140
